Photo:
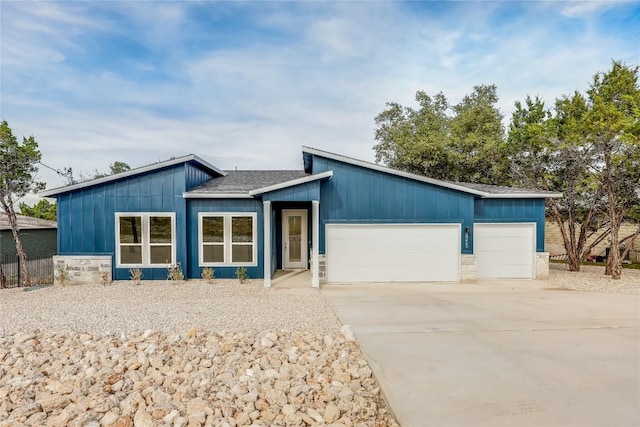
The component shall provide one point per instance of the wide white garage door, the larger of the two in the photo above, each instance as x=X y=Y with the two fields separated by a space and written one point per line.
x=393 y=253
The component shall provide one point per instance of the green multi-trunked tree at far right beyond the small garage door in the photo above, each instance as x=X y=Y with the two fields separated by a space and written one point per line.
x=588 y=148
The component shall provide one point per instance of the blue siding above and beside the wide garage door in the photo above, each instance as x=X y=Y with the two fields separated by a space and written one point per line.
x=360 y=195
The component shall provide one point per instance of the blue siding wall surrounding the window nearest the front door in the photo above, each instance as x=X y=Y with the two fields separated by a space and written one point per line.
x=195 y=206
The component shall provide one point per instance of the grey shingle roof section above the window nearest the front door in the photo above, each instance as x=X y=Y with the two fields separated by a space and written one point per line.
x=240 y=182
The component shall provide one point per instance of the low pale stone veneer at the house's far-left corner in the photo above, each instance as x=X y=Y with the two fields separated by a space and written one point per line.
x=81 y=268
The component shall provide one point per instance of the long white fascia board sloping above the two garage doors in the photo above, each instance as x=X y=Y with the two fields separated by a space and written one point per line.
x=421 y=178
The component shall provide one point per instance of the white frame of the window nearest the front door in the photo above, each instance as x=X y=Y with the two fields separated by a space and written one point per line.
x=227 y=244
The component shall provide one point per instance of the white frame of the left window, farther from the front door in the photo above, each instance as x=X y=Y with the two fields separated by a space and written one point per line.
x=146 y=239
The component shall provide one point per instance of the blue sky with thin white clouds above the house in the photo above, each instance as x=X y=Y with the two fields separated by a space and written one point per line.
x=246 y=84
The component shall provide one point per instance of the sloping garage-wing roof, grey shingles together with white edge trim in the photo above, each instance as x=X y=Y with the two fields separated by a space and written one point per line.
x=482 y=190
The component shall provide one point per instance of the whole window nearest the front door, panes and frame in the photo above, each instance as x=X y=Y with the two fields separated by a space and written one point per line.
x=227 y=239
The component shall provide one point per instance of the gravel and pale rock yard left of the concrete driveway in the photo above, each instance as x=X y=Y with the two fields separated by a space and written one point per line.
x=178 y=354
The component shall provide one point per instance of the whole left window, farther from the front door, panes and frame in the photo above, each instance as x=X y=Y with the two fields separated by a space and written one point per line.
x=145 y=239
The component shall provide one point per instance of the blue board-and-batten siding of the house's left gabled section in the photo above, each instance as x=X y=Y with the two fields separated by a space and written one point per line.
x=86 y=217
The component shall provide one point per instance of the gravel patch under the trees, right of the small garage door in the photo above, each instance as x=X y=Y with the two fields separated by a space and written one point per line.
x=593 y=279
